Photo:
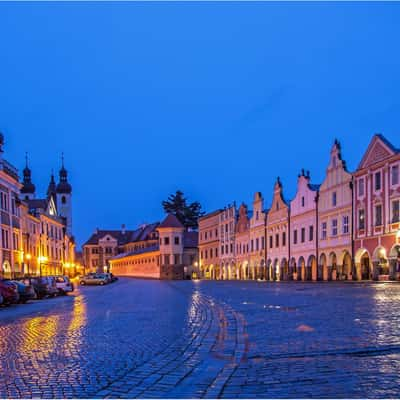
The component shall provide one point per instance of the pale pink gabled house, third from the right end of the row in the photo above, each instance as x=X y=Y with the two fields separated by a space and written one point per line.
x=303 y=229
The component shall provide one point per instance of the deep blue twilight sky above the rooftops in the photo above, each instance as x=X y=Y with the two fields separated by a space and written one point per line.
x=216 y=99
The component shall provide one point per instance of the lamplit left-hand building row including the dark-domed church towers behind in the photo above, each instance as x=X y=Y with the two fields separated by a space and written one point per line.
x=36 y=233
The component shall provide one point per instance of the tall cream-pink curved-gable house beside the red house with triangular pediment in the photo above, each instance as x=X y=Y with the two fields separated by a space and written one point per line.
x=335 y=220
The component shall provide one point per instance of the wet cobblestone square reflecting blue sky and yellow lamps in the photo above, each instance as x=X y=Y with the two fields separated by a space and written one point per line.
x=152 y=339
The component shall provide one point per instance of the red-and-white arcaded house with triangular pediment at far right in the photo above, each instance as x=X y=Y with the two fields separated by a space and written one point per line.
x=376 y=198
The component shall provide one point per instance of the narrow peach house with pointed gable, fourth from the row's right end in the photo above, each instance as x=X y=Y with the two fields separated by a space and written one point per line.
x=278 y=238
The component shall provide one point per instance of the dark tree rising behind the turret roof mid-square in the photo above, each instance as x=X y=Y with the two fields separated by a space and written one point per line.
x=187 y=214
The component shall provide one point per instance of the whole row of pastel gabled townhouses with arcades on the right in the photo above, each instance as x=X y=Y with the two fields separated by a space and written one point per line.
x=347 y=228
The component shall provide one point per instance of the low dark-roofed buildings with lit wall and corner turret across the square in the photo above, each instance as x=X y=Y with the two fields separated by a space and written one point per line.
x=160 y=250
